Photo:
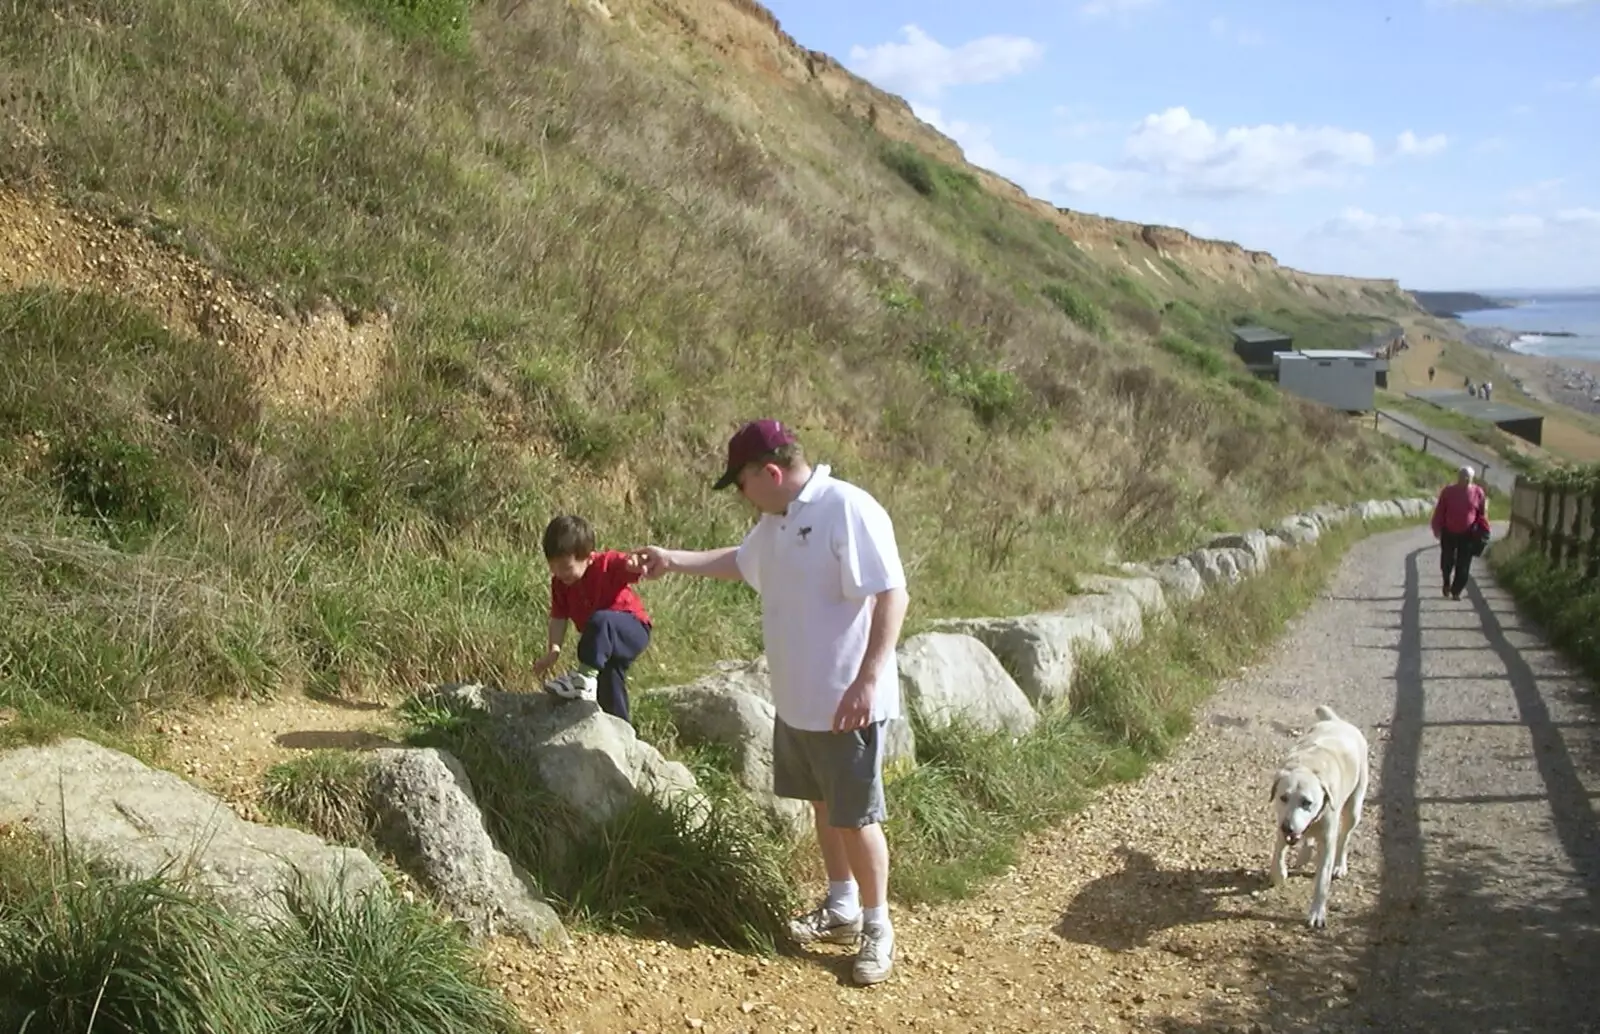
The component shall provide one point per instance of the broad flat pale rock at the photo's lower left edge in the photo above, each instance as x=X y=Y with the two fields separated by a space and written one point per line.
x=143 y=820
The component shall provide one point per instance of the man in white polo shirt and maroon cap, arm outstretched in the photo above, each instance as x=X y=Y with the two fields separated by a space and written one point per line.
x=825 y=561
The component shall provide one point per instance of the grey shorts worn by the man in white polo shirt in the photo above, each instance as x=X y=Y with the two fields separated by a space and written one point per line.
x=841 y=769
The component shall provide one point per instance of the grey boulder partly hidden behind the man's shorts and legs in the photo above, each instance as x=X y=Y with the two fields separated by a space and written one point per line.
x=716 y=713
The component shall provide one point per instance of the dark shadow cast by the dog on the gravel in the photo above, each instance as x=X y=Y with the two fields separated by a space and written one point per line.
x=1121 y=912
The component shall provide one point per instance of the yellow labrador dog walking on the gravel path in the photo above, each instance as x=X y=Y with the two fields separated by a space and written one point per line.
x=1318 y=796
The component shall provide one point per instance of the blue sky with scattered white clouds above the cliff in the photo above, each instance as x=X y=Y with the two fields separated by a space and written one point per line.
x=1444 y=143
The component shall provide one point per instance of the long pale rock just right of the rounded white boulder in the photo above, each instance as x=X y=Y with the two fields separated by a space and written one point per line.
x=1038 y=651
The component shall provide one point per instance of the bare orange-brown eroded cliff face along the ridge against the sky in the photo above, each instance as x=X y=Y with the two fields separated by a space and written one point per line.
x=748 y=36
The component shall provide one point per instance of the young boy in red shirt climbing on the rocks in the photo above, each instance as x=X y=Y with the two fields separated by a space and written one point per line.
x=594 y=591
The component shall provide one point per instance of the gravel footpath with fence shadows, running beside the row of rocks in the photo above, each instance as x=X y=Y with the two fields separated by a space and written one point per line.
x=1473 y=902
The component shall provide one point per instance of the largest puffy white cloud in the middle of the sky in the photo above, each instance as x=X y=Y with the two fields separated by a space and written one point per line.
x=1193 y=158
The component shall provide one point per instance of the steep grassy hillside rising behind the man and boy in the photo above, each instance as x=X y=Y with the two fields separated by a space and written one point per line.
x=318 y=311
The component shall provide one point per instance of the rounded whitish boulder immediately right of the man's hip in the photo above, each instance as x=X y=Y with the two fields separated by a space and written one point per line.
x=950 y=676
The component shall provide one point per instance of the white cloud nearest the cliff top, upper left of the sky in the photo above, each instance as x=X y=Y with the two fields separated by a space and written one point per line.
x=924 y=68
